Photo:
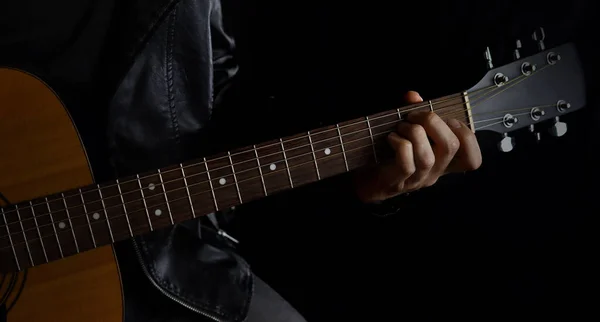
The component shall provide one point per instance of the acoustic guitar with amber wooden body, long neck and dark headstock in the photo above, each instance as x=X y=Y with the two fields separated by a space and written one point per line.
x=57 y=225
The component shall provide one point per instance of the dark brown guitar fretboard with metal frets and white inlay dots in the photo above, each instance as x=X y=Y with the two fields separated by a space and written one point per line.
x=61 y=225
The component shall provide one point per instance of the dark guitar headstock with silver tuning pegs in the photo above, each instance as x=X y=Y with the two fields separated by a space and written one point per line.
x=529 y=91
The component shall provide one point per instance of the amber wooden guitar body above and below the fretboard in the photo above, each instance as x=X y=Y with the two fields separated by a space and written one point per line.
x=43 y=154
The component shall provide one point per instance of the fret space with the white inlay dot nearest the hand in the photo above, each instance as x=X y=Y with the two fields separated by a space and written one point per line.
x=329 y=151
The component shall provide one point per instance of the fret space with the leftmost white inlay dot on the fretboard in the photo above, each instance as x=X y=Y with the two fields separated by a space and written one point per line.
x=61 y=223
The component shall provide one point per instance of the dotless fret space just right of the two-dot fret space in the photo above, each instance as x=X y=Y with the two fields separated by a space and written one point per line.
x=177 y=193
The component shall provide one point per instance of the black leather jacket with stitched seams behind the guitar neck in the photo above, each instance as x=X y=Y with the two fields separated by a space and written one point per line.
x=162 y=113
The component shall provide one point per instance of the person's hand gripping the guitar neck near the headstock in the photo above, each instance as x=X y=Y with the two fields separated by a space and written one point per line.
x=418 y=161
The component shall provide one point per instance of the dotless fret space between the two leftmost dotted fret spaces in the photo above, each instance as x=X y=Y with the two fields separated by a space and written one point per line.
x=78 y=220
